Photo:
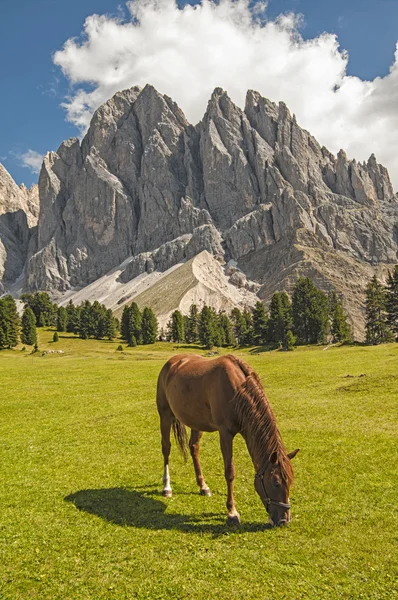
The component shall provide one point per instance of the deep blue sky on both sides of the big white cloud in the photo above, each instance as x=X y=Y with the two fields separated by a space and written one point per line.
x=33 y=88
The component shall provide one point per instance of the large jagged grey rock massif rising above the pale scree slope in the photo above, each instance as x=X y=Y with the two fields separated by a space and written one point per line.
x=251 y=187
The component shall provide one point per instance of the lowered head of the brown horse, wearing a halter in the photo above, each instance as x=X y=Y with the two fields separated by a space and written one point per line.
x=272 y=484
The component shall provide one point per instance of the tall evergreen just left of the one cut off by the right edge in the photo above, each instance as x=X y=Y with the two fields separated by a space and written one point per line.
x=377 y=330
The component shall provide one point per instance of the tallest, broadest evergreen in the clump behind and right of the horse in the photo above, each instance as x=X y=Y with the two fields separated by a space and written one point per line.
x=310 y=309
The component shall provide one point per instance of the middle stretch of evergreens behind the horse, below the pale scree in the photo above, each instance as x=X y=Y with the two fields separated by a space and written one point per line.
x=309 y=317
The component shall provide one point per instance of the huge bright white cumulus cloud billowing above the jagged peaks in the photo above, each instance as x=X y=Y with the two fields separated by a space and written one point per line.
x=187 y=52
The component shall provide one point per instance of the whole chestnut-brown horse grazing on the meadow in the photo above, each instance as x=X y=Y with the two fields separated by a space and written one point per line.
x=224 y=395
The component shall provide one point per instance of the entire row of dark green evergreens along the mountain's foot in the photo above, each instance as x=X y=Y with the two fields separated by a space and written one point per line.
x=309 y=317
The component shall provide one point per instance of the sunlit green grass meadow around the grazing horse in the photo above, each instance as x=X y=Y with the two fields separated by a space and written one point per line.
x=80 y=466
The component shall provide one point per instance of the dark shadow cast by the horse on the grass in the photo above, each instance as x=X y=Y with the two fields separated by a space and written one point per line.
x=134 y=508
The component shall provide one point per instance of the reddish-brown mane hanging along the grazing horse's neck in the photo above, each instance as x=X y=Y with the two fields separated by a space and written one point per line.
x=257 y=421
